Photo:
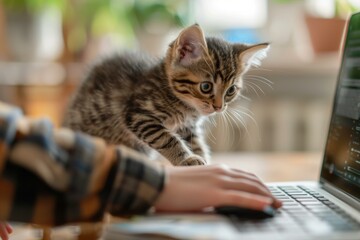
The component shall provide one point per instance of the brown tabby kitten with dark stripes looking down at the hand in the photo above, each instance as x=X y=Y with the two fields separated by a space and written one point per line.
x=150 y=104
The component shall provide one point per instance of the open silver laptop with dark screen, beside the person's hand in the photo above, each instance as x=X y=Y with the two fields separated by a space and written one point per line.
x=327 y=209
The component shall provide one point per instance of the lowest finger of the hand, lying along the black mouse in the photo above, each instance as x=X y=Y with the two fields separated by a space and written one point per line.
x=244 y=199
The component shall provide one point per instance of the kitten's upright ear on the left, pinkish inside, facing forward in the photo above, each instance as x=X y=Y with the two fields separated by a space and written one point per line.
x=190 y=45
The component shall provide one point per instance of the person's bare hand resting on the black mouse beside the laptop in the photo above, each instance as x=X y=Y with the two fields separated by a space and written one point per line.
x=195 y=188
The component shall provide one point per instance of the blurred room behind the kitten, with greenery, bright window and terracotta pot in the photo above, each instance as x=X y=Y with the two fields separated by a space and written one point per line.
x=47 y=45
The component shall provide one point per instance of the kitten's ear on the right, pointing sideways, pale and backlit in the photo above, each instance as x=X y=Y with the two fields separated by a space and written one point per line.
x=252 y=55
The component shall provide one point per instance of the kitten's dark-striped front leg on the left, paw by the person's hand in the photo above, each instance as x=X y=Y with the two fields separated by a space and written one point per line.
x=170 y=145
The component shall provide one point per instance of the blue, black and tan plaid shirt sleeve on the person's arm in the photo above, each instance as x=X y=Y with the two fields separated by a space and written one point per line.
x=52 y=177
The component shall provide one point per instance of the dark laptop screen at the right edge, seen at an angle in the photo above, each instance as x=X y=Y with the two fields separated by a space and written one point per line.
x=341 y=165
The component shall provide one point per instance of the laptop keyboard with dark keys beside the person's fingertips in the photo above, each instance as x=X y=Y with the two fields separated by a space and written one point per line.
x=304 y=210
